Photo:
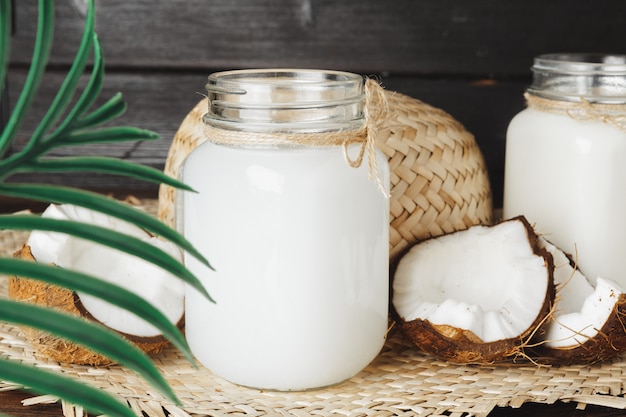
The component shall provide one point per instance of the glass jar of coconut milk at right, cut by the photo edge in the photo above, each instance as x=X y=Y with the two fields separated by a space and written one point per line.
x=565 y=167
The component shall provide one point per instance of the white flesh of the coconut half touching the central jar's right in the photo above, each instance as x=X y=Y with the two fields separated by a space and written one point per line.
x=487 y=280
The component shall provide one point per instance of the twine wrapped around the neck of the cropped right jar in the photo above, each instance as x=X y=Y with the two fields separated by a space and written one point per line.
x=583 y=110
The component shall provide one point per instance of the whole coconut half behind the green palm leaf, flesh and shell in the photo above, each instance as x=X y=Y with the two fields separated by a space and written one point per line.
x=155 y=285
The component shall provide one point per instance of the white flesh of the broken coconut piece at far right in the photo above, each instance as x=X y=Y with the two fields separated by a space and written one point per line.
x=581 y=310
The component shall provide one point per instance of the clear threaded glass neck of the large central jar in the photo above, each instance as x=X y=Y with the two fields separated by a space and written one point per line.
x=285 y=100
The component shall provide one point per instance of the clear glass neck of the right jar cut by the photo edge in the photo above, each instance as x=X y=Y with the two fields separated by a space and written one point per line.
x=596 y=78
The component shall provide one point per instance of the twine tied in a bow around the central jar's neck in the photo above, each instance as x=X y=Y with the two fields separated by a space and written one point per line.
x=375 y=111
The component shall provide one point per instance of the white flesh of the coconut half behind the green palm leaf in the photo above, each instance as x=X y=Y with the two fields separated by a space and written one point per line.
x=158 y=287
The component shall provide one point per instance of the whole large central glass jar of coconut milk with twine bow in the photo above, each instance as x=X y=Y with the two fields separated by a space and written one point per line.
x=291 y=208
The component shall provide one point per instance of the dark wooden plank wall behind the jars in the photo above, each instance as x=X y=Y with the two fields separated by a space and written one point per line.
x=470 y=58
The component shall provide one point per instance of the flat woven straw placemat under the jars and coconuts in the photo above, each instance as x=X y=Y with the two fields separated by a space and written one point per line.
x=401 y=381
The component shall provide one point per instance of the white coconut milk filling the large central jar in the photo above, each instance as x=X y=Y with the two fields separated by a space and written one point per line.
x=299 y=242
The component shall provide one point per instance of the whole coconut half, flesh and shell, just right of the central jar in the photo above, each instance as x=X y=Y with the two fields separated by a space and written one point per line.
x=474 y=296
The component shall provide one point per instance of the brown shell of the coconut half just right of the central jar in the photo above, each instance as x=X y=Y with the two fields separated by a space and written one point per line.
x=463 y=346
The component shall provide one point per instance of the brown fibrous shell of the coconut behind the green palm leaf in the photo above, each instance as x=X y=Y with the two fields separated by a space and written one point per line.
x=65 y=300
